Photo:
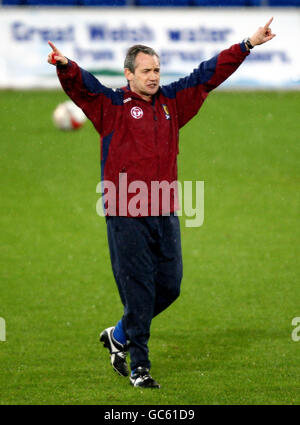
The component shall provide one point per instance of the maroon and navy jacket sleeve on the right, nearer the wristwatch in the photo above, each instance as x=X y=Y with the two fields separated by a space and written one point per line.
x=191 y=91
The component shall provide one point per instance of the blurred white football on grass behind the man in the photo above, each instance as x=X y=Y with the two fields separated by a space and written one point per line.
x=67 y=116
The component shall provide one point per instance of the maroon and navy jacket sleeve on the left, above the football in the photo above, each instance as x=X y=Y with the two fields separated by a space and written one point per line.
x=87 y=92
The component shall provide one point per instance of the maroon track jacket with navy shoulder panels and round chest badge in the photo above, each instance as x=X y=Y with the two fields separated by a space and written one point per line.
x=139 y=139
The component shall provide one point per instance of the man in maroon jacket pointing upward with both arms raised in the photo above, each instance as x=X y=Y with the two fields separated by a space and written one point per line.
x=139 y=127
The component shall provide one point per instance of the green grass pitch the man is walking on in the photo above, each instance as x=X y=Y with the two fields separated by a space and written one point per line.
x=227 y=339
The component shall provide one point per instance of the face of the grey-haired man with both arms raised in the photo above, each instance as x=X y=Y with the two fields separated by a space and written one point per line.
x=145 y=79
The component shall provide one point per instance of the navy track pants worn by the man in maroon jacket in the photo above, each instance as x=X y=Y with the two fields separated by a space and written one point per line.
x=147 y=265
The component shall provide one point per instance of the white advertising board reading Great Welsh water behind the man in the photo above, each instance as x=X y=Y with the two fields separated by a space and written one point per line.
x=97 y=39
